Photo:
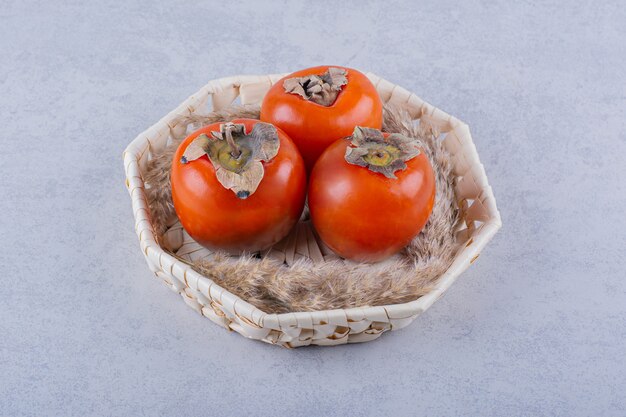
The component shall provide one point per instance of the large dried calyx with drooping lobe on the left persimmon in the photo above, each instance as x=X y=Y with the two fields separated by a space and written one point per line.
x=237 y=155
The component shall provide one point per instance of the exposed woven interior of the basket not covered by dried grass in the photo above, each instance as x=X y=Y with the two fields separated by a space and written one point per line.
x=302 y=242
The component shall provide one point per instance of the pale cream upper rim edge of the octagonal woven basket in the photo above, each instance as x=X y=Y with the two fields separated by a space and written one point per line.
x=134 y=151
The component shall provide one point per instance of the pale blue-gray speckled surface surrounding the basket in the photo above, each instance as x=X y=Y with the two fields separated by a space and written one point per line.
x=536 y=327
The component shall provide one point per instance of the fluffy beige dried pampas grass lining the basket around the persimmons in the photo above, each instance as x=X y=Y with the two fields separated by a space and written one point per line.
x=275 y=287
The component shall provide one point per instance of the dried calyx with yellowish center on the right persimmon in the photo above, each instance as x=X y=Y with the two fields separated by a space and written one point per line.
x=370 y=149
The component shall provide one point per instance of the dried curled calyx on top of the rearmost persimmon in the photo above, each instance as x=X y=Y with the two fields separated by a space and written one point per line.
x=321 y=89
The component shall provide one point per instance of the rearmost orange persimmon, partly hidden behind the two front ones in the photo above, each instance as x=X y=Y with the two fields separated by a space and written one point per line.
x=319 y=105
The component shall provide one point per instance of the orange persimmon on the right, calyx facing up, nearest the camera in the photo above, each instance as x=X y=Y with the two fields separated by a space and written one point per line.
x=370 y=194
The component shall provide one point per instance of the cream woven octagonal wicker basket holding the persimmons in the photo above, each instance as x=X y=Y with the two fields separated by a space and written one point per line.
x=332 y=327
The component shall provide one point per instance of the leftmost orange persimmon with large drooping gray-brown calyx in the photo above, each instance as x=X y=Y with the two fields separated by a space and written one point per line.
x=238 y=186
